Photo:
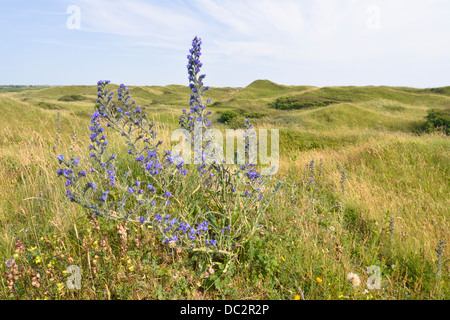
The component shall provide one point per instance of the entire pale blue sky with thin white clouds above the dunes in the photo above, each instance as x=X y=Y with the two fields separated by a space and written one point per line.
x=290 y=42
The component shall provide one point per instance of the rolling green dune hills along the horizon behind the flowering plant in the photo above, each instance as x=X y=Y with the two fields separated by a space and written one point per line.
x=265 y=102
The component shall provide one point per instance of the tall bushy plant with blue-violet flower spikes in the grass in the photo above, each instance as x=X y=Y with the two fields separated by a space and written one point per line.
x=209 y=206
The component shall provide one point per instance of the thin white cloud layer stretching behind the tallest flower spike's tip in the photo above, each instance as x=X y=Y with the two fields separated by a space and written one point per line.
x=279 y=29
